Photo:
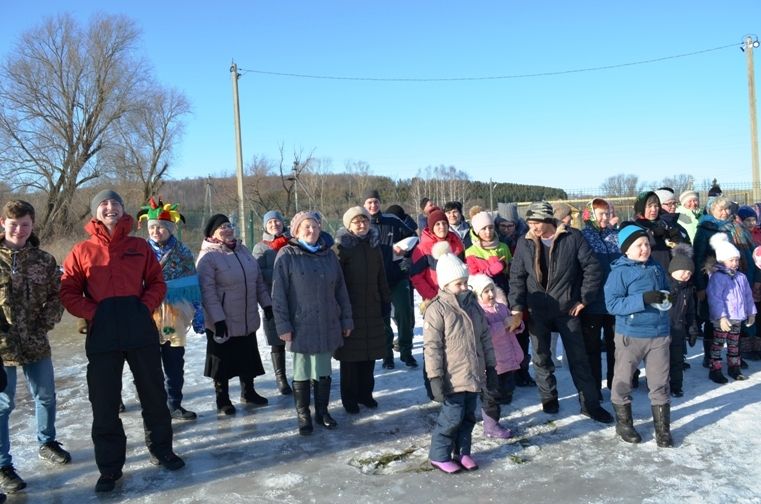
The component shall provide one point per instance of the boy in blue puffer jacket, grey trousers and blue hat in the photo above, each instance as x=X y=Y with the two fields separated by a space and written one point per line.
x=636 y=294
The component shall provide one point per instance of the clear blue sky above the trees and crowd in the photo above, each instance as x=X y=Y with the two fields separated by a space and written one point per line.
x=682 y=115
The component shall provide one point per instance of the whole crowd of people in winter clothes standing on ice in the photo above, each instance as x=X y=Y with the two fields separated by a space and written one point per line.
x=496 y=293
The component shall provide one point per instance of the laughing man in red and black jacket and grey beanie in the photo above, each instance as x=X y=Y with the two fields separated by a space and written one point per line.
x=113 y=281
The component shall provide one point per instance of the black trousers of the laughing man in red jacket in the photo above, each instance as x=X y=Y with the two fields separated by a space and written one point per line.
x=104 y=381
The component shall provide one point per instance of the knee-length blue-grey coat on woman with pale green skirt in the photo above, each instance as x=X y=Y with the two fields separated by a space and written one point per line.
x=310 y=298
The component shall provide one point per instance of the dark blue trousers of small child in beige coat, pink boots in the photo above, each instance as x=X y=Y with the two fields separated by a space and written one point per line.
x=454 y=427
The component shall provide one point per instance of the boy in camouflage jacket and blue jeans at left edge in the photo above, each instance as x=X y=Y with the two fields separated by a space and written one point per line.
x=30 y=306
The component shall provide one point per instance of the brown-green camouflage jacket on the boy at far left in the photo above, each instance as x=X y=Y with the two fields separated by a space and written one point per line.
x=30 y=281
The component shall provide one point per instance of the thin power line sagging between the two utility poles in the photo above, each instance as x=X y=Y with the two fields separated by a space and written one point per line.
x=487 y=77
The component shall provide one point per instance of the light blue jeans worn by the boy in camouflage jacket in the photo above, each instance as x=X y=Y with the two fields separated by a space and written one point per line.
x=41 y=382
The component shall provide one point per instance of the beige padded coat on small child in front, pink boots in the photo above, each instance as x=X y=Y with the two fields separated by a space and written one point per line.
x=457 y=343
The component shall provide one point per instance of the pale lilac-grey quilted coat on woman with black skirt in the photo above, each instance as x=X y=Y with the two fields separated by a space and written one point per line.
x=231 y=287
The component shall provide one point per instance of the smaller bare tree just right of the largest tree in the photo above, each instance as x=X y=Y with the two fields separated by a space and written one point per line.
x=146 y=137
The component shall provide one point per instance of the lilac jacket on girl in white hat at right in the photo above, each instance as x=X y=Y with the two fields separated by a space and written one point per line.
x=729 y=295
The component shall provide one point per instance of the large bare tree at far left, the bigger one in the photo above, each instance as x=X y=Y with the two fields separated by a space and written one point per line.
x=61 y=92
